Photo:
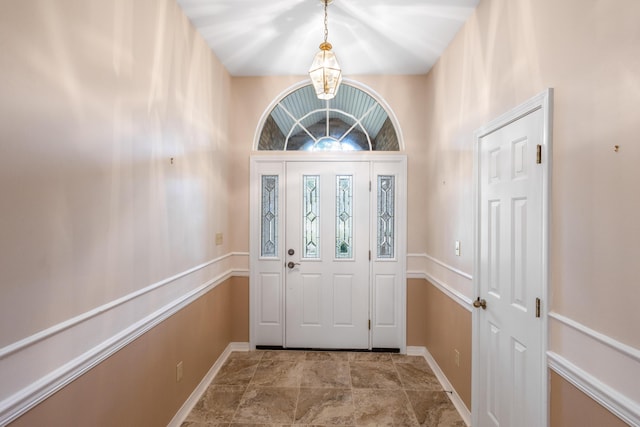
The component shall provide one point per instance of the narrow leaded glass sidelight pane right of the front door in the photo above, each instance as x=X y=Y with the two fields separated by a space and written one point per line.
x=386 y=214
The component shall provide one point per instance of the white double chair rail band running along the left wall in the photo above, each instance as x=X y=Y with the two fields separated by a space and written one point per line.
x=76 y=345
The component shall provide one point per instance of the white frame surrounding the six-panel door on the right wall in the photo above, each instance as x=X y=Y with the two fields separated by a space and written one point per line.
x=544 y=102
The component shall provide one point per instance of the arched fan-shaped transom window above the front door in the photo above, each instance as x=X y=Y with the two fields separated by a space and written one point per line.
x=352 y=121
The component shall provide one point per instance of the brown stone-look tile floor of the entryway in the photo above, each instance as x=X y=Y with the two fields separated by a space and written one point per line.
x=285 y=388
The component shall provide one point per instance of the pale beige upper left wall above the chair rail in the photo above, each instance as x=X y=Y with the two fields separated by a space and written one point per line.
x=97 y=97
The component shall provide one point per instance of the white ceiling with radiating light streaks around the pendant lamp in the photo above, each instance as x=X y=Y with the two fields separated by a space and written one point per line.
x=280 y=37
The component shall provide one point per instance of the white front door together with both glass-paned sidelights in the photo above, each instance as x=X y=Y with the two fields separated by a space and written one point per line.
x=325 y=266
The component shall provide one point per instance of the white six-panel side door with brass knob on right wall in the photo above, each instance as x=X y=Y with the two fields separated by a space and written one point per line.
x=509 y=370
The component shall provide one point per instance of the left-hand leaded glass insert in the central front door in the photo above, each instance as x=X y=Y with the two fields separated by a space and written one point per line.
x=311 y=217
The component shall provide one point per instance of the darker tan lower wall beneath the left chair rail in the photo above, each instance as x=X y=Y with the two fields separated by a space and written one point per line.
x=137 y=386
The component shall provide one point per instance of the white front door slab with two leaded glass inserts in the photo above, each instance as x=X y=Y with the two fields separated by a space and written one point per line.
x=327 y=255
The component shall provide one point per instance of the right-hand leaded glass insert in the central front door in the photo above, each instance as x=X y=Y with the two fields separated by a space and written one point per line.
x=344 y=216
